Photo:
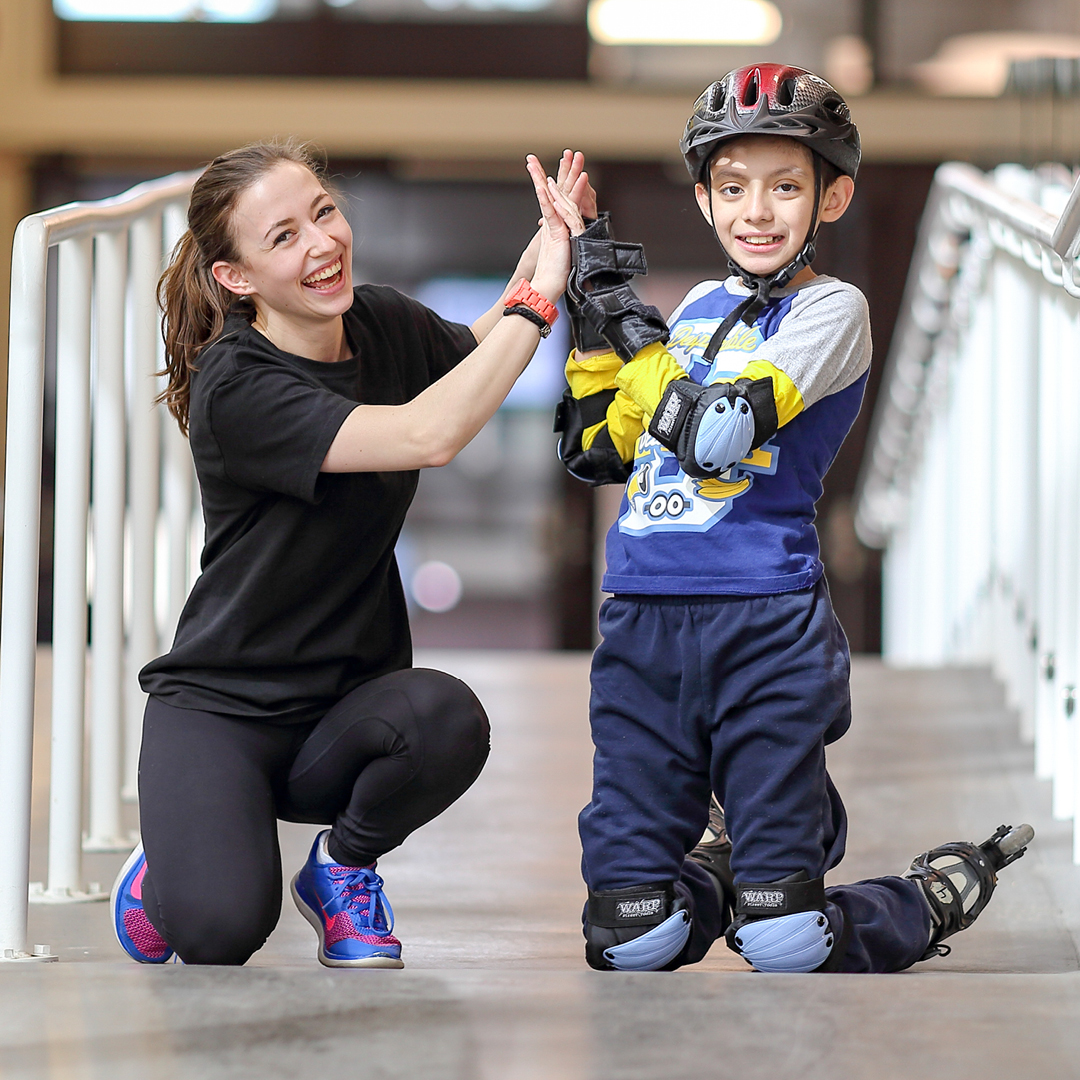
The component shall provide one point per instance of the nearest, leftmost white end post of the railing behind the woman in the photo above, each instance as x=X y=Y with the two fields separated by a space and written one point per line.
x=19 y=614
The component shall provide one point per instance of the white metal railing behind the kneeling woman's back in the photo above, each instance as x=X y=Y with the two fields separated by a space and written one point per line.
x=125 y=516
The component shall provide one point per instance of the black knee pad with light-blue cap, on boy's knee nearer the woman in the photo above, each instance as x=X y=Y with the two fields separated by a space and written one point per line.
x=644 y=928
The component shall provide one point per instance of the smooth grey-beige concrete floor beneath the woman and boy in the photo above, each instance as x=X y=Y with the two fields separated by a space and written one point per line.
x=489 y=902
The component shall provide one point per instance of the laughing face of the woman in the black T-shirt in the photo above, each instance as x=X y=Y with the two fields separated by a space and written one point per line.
x=295 y=248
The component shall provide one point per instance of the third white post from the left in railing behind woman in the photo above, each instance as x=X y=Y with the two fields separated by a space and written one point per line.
x=109 y=482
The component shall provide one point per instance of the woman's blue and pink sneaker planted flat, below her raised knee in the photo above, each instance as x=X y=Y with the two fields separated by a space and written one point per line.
x=349 y=912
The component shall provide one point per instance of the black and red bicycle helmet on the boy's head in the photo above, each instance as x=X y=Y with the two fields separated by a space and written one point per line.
x=772 y=100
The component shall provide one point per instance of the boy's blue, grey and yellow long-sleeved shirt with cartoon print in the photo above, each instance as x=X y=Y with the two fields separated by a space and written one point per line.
x=751 y=531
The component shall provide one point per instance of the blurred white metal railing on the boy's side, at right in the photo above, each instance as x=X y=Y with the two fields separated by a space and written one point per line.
x=971 y=481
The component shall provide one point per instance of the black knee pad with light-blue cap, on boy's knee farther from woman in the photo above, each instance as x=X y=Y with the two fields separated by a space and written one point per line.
x=782 y=926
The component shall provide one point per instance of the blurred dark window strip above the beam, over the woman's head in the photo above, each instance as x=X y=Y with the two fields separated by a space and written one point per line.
x=402 y=39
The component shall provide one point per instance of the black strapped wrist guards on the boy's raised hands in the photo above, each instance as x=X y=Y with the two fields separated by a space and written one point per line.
x=599 y=289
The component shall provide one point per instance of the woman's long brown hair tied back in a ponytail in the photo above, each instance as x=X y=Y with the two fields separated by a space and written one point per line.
x=193 y=303
